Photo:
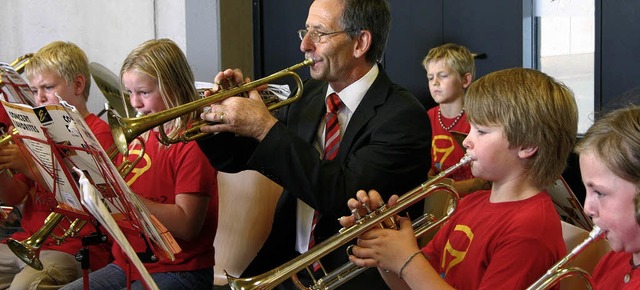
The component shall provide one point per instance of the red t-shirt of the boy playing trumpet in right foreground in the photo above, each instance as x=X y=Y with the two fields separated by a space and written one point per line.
x=507 y=245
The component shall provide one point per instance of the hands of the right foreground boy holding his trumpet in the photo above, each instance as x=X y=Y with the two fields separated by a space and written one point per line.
x=387 y=249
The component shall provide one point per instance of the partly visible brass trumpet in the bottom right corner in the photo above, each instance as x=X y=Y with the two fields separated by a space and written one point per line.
x=557 y=272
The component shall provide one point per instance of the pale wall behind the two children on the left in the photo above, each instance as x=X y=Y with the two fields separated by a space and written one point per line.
x=108 y=30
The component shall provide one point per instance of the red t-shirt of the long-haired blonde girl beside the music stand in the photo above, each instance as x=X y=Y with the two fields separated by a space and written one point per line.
x=163 y=173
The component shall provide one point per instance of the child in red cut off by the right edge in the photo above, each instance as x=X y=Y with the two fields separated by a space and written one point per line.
x=610 y=166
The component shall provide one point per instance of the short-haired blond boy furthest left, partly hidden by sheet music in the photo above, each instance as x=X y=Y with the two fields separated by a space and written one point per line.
x=62 y=68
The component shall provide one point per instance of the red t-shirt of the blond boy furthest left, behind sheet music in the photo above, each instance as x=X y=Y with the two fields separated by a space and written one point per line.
x=38 y=206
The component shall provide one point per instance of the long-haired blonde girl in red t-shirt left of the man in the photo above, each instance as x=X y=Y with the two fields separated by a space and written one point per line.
x=175 y=182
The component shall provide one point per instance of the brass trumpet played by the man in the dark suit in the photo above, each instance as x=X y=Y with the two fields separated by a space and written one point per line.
x=124 y=130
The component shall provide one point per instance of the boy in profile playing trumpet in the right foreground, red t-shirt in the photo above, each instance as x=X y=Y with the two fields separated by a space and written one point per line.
x=523 y=127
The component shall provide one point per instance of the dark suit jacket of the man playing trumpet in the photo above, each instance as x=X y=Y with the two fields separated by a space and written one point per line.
x=386 y=146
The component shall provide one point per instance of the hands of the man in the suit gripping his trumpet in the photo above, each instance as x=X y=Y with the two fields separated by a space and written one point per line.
x=247 y=117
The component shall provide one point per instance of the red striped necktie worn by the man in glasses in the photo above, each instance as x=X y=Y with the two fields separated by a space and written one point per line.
x=331 y=145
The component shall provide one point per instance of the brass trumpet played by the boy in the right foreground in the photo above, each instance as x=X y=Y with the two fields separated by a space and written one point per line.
x=380 y=217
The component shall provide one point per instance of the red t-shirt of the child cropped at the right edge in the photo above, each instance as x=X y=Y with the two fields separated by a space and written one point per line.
x=611 y=271
